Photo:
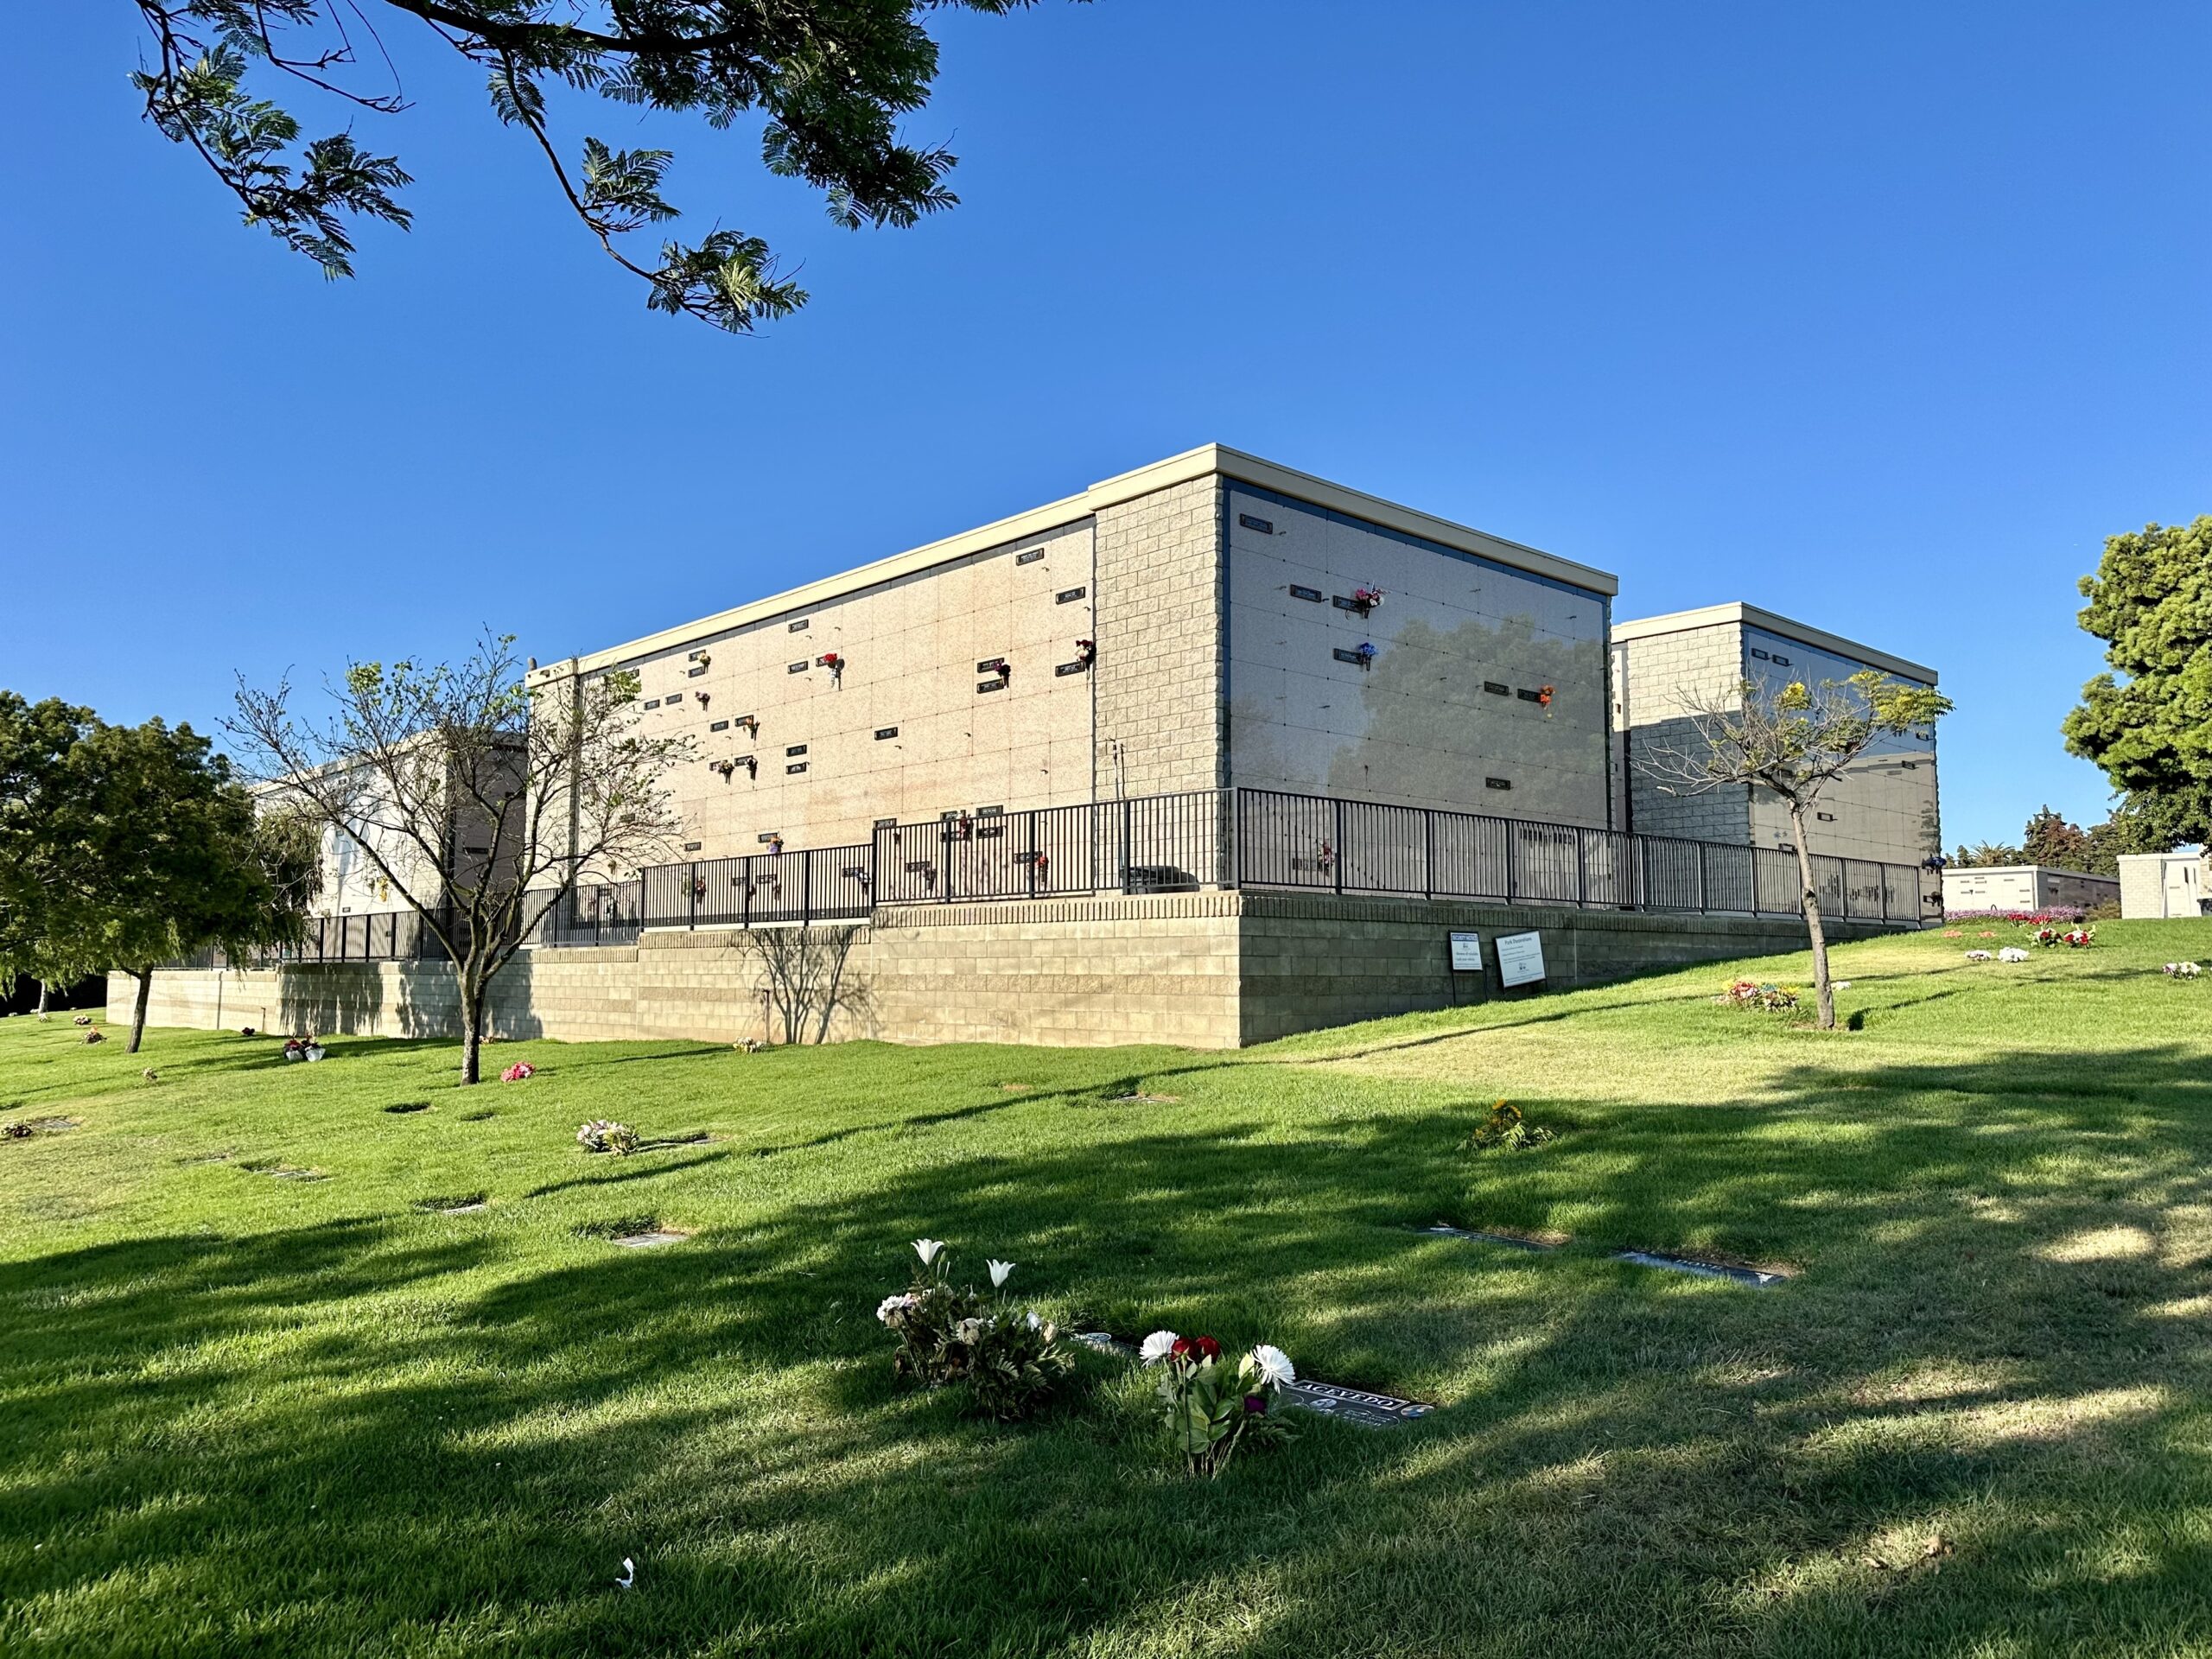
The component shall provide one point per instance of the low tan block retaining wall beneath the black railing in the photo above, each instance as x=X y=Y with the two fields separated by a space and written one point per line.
x=1193 y=970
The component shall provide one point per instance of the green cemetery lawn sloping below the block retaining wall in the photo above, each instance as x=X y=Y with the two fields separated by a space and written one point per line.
x=244 y=1412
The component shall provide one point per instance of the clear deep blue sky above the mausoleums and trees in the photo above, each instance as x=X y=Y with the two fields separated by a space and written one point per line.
x=1881 y=317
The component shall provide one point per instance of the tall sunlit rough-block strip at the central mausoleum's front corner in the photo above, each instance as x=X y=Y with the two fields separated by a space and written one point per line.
x=1160 y=682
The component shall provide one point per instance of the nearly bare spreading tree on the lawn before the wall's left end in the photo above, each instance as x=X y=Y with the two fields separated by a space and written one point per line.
x=477 y=797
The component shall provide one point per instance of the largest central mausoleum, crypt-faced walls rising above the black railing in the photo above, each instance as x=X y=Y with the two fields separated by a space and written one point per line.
x=1207 y=623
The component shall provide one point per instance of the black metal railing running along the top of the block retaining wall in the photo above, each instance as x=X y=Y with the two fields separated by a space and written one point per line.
x=1165 y=844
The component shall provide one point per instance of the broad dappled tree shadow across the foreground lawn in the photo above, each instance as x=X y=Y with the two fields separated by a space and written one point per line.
x=1629 y=1463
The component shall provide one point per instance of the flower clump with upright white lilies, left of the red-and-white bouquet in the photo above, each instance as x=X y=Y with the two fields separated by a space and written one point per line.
x=1008 y=1357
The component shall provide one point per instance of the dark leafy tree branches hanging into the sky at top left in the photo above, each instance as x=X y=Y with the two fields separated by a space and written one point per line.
x=826 y=79
